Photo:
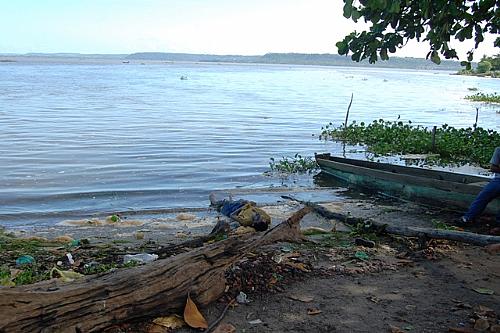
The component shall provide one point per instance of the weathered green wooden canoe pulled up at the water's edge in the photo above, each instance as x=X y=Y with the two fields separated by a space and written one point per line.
x=435 y=187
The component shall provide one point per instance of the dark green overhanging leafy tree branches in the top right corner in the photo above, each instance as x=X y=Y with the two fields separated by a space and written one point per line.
x=394 y=22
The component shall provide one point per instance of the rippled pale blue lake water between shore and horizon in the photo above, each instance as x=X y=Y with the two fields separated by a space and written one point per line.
x=81 y=139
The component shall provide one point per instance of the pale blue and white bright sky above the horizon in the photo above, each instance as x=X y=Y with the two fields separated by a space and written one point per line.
x=245 y=27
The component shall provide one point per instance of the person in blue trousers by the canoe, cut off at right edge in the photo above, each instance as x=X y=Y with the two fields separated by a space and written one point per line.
x=487 y=194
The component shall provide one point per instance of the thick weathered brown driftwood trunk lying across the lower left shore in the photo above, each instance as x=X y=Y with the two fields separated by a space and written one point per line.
x=95 y=303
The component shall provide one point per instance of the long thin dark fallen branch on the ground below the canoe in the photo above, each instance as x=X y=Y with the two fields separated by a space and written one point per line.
x=459 y=236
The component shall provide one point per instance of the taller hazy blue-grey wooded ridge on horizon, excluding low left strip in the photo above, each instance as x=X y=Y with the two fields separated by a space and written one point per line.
x=298 y=59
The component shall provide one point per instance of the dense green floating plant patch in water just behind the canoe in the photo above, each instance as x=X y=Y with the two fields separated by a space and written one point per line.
x=452 y=145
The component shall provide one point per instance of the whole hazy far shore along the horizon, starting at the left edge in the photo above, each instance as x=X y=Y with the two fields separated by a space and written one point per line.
x=269 y=58
